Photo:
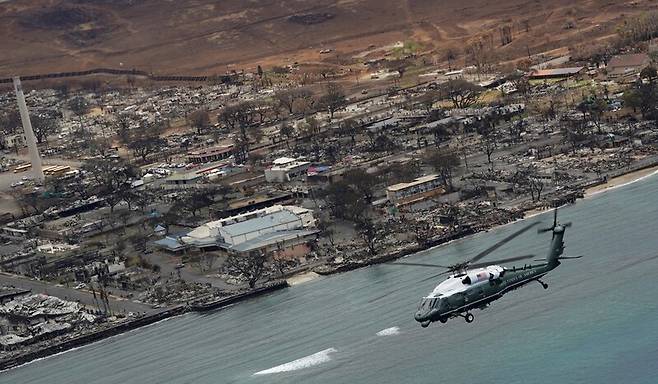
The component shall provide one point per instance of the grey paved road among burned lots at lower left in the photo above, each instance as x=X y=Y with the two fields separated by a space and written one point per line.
x=84 y=297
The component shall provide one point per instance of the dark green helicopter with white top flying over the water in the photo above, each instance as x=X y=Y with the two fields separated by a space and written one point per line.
x=473 y=285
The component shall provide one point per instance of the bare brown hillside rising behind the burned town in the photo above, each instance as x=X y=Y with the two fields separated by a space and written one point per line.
x=205 y=37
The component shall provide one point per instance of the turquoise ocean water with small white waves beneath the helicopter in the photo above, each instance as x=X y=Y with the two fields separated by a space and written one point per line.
x=597 y=323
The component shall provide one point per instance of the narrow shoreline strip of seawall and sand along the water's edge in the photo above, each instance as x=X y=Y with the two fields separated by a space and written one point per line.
x=298 y=278
